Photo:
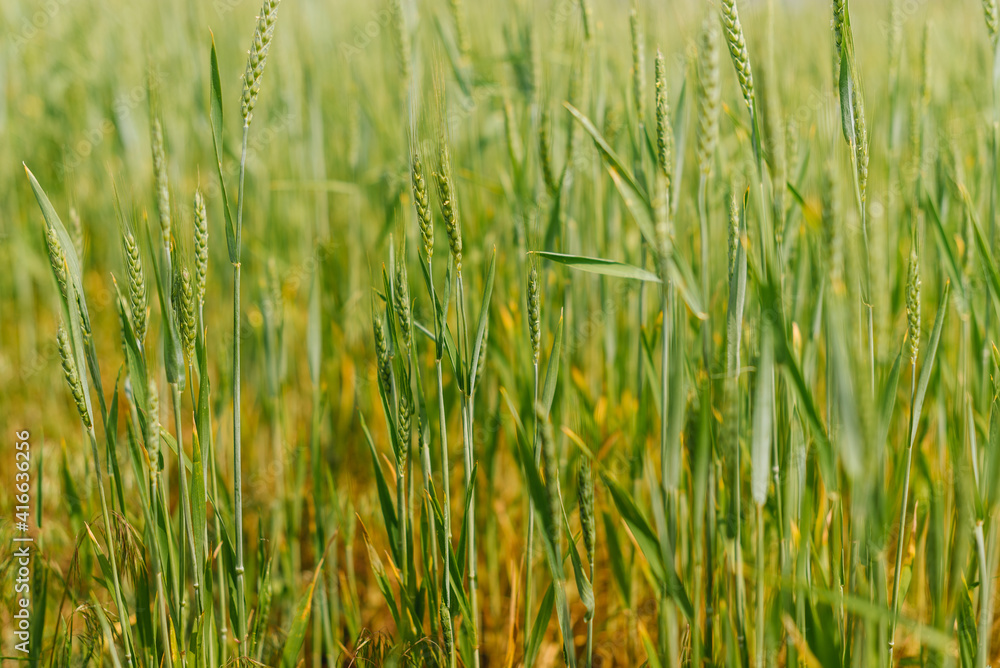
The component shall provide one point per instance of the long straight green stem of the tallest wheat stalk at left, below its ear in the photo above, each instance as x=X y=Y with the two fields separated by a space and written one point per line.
x=241 y=628
